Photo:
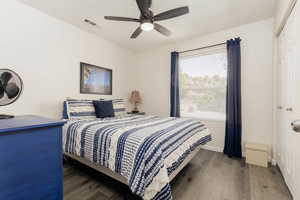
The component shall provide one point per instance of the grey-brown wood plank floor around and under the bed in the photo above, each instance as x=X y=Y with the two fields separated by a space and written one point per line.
x=209 y=176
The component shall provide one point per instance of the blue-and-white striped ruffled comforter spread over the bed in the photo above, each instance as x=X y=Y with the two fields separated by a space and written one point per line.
x=143 y=149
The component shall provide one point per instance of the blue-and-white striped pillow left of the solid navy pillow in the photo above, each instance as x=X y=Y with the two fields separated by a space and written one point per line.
x=80 y=109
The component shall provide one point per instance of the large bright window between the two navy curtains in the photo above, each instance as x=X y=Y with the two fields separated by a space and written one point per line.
x=203 y=79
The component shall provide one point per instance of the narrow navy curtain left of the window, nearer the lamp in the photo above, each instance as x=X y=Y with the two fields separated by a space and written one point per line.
x=175 y=98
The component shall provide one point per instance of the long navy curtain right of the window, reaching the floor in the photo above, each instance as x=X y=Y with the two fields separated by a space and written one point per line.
x=233 y=135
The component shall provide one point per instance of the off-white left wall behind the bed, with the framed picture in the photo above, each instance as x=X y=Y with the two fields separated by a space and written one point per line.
x=46 y=53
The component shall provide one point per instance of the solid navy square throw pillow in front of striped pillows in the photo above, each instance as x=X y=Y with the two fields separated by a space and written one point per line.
x=104 y=109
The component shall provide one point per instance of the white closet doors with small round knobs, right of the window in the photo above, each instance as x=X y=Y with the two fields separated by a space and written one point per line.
x=284 y=100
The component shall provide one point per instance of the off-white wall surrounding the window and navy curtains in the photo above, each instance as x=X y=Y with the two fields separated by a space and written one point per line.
x=153 y=74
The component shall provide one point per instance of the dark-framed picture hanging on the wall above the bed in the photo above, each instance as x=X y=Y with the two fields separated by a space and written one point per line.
x=95 y=80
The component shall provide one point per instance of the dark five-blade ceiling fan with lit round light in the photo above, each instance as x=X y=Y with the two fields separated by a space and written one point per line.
x=148 y=20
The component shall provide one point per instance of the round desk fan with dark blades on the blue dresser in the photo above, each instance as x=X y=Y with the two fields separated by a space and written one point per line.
x=11 y=86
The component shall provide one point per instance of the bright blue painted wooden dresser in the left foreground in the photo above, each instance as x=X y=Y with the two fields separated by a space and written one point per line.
x=31 y=159
